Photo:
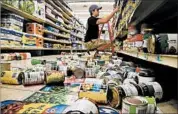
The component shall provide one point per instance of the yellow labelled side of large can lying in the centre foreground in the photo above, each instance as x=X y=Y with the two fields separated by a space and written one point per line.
x=95 y=92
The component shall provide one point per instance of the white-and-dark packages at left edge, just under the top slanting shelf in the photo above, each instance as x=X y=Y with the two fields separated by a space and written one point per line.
x=12 y=21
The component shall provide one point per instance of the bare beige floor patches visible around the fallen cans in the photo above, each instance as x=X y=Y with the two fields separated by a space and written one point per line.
x=19 y=92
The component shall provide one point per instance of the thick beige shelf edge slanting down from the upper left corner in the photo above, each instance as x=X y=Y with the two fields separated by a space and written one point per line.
x=21 y=13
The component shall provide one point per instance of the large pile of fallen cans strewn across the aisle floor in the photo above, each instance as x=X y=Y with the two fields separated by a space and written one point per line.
x=87 y=83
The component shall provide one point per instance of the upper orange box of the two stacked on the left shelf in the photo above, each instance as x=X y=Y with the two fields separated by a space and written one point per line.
x=34 y=28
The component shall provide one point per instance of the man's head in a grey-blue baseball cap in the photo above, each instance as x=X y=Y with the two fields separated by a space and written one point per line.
x=94 y=10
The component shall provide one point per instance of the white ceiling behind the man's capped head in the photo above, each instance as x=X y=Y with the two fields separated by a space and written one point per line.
x=80 y=9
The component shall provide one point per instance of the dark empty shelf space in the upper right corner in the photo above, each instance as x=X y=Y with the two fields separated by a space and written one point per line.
x=161 y=14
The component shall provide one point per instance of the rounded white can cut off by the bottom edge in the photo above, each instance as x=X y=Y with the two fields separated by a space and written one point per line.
x=79 y=107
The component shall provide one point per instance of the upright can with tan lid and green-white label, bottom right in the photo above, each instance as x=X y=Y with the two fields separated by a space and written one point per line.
x=134 y=105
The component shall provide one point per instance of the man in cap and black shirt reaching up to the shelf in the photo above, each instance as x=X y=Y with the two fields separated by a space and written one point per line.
x=92 y=33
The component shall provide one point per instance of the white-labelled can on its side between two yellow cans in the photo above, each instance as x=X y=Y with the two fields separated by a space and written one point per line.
x=33 y=78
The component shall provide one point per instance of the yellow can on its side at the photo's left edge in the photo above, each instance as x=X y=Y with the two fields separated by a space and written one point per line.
x=10 y=77
